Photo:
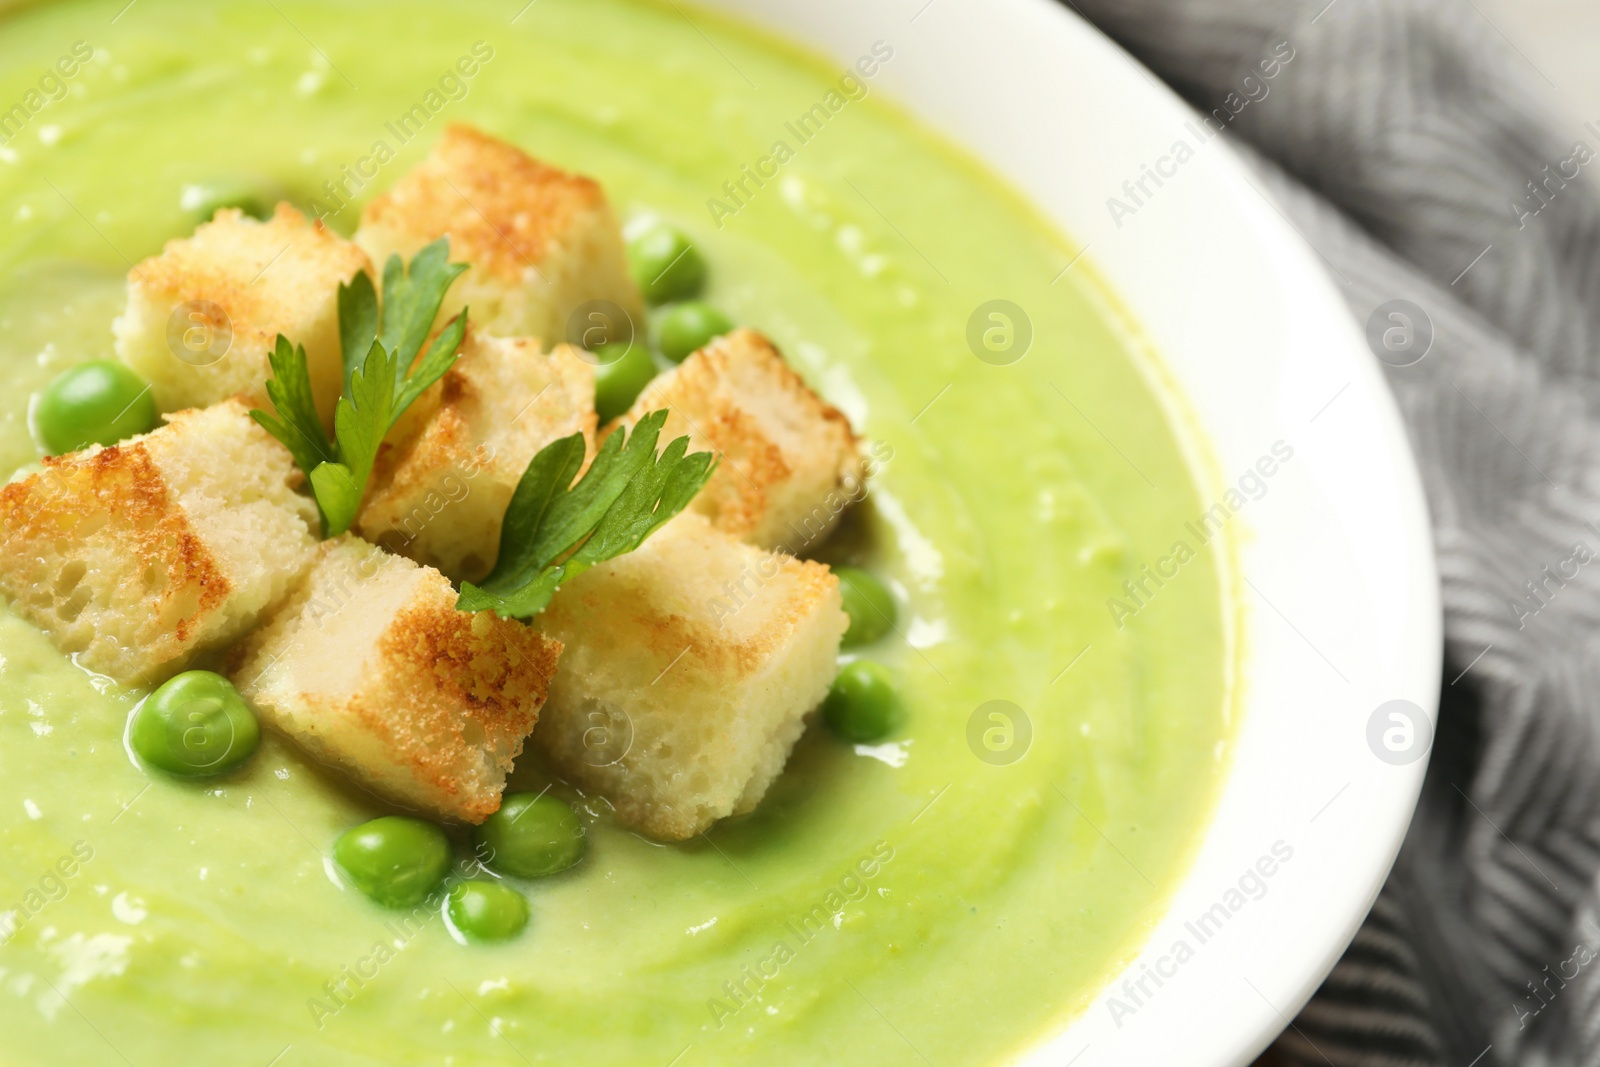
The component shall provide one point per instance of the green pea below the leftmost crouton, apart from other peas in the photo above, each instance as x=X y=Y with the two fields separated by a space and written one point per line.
x=194 y=725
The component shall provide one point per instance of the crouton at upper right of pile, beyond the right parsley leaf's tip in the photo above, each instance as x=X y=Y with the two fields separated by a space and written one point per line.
x=785 y=450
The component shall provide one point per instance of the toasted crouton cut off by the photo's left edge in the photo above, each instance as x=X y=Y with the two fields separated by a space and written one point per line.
x=138 y=556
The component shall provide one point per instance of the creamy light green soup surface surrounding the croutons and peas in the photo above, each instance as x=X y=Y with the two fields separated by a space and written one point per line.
x=946 y=897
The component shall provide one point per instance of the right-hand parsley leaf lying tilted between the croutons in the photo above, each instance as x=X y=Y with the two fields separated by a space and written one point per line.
x=625 y=497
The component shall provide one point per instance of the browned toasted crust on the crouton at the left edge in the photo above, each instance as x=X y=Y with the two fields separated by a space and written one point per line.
x=113 y=502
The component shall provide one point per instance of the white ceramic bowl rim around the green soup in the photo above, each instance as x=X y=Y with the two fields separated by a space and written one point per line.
x=1342 y=599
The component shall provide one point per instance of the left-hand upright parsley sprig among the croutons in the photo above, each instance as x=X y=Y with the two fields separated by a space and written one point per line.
x=383 y=378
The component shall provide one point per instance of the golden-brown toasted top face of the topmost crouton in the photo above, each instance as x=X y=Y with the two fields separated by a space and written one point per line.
x=500 y=207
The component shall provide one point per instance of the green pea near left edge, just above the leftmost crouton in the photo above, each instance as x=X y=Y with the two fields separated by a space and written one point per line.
x=100 y=402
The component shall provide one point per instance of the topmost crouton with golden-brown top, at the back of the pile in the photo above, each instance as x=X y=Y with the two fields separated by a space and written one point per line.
x=538 y=242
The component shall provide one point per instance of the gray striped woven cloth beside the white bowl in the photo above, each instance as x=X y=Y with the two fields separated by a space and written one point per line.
x=1401 y=142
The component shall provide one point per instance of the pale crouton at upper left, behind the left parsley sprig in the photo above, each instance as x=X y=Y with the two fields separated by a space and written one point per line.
x=246 y=281
